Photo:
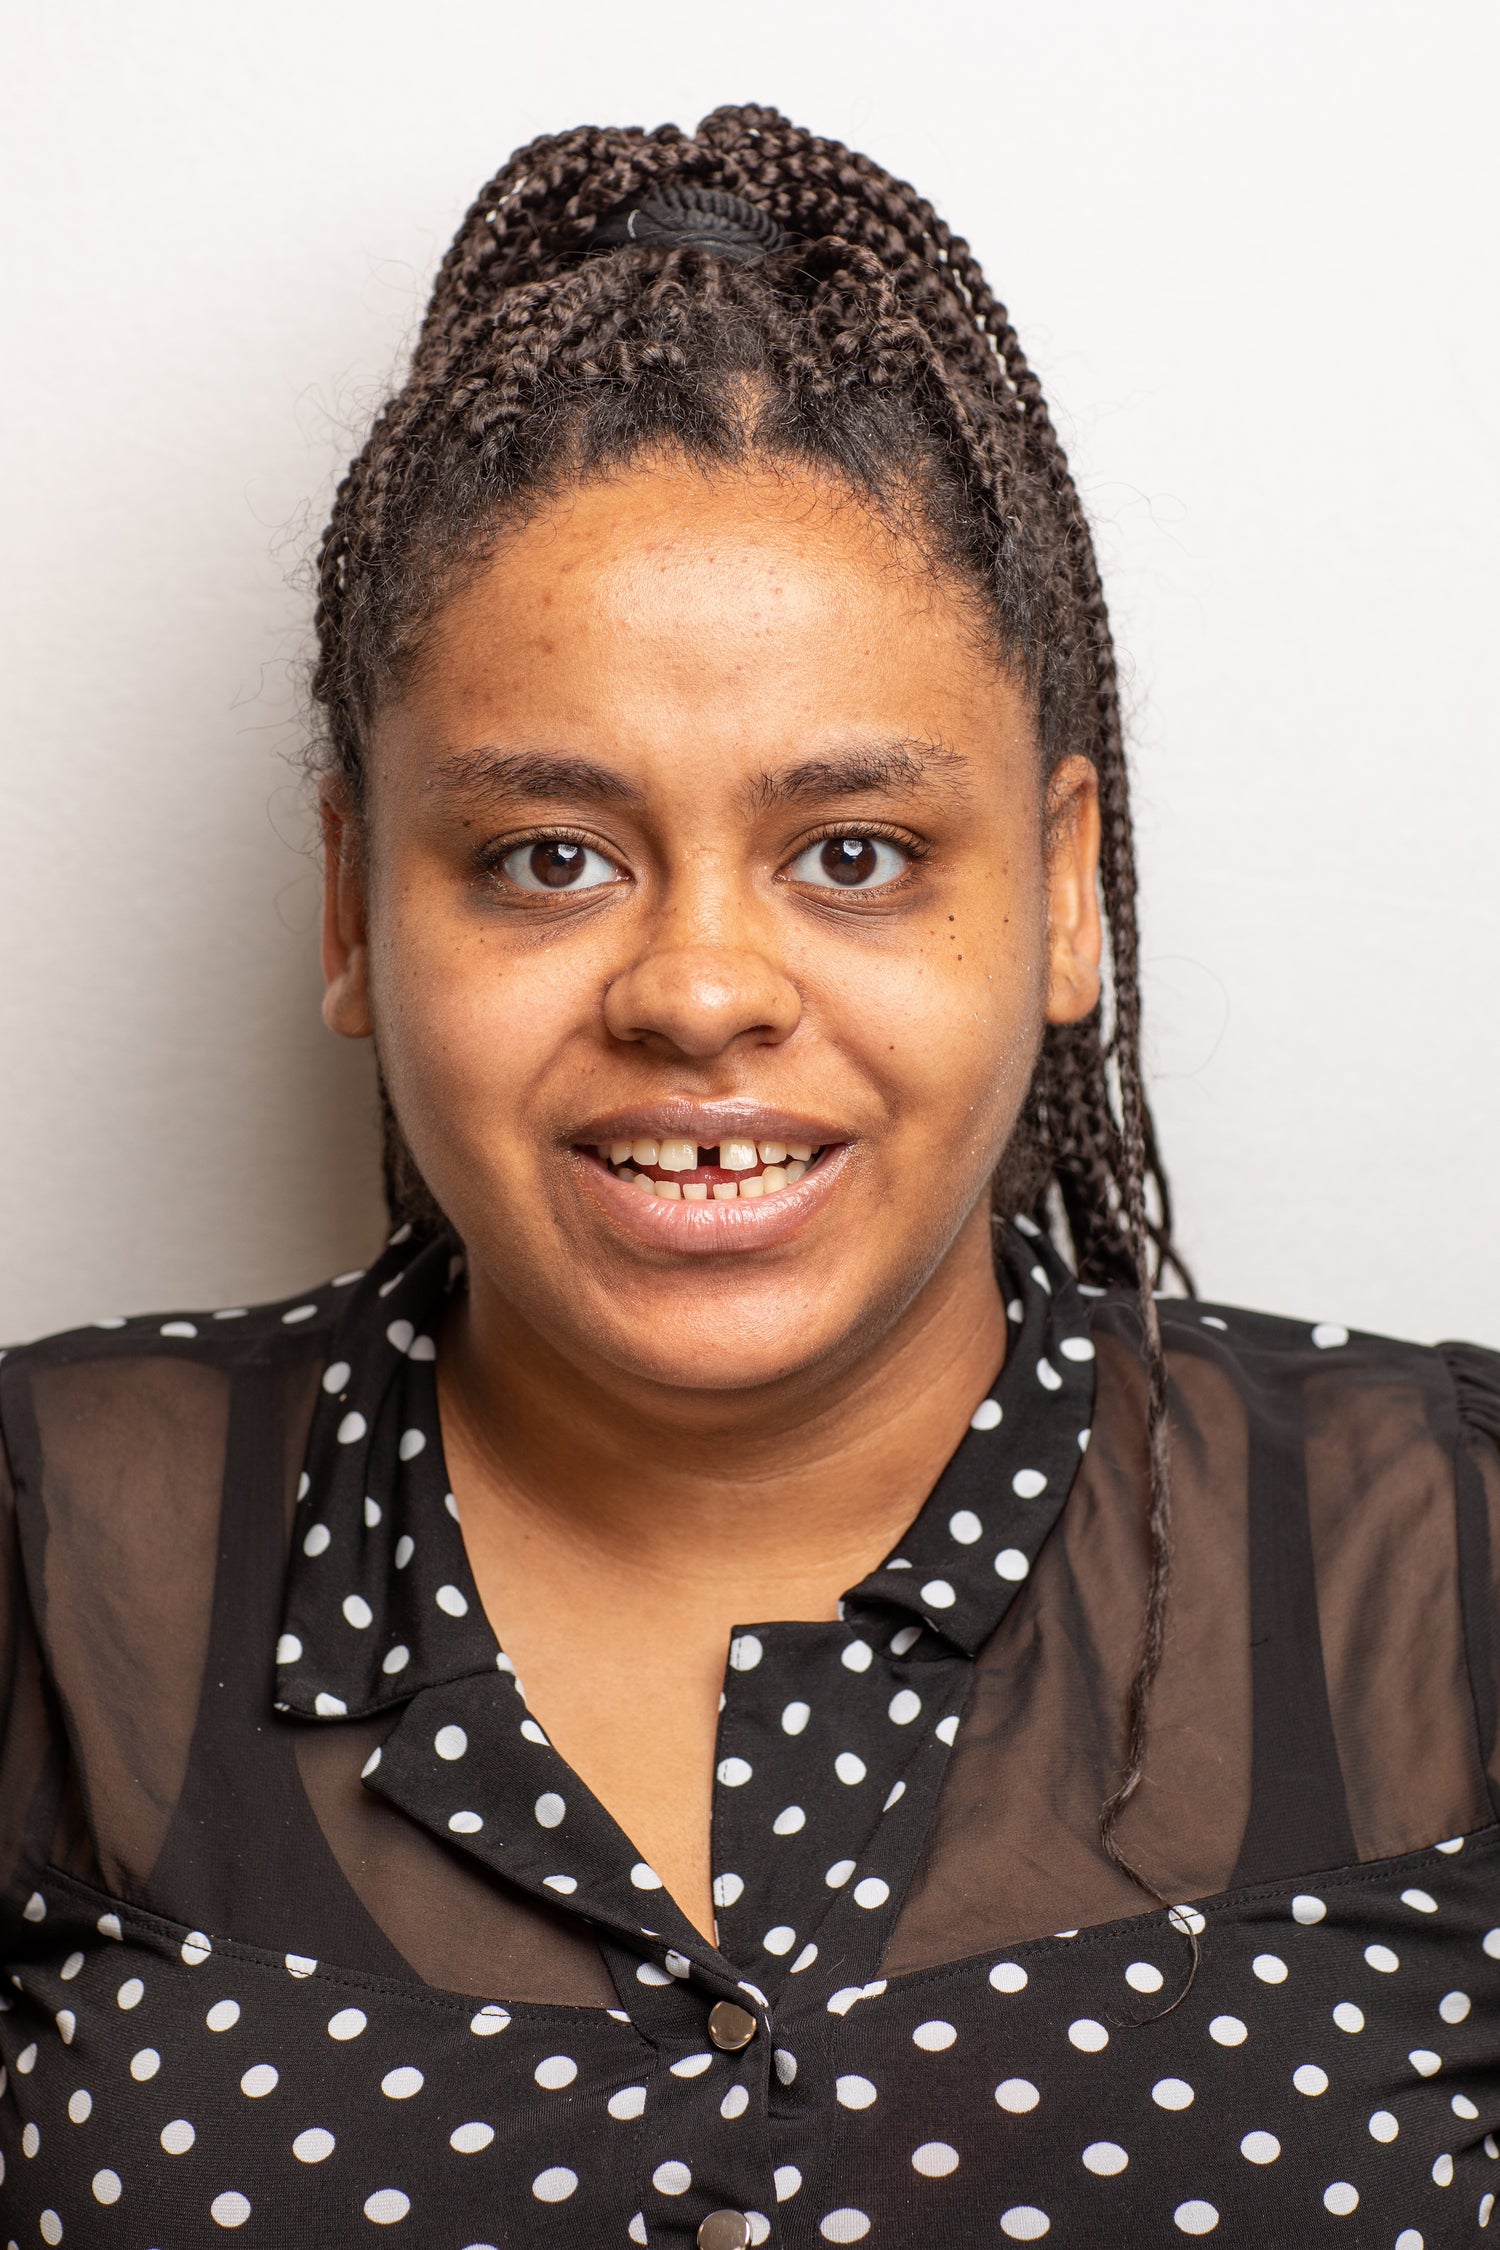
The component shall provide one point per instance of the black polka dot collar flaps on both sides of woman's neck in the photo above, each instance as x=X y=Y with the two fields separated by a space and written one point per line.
x=379 y=1596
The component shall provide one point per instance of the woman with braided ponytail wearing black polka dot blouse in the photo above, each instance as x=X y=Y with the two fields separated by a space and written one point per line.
x=1002 y=1754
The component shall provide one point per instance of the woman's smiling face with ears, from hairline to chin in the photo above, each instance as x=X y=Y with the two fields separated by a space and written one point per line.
x=712 y=834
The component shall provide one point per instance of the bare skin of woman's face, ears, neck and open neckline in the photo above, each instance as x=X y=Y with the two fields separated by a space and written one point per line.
x=687 y=701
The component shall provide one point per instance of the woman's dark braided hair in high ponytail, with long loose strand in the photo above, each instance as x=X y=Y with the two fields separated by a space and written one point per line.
x=754 y=289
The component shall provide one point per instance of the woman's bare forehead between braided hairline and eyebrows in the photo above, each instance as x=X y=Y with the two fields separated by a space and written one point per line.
x=728 y=618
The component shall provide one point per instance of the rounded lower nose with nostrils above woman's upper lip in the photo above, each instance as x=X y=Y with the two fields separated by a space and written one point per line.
x=703 y=1000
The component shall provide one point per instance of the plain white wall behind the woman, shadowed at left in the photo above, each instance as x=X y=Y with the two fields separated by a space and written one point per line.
x=1251 y=251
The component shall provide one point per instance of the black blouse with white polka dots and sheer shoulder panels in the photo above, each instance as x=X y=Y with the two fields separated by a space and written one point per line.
x=311 y=1934
